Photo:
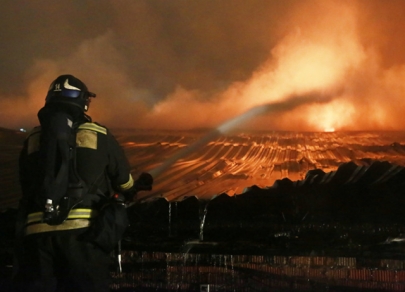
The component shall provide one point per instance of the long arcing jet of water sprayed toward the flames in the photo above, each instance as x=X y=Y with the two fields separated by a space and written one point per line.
x=275 y=107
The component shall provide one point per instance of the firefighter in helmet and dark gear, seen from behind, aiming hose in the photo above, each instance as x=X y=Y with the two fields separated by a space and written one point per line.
x=74 y=178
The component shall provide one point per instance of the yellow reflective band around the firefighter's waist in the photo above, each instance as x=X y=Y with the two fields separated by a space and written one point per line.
x=77 y=218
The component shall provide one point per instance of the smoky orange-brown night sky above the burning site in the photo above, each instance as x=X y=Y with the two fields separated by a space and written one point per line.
x=183 y=64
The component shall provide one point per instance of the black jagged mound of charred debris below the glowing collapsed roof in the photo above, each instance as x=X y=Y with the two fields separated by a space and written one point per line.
x=355 y=202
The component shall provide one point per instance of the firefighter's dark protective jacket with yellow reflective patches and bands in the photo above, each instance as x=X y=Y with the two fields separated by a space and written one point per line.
x=100 y=162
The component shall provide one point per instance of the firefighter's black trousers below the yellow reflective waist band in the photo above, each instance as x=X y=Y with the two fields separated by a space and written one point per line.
x=62 y=261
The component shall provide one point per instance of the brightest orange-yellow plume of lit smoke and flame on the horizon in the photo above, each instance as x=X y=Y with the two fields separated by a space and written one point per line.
x=306 y=60
